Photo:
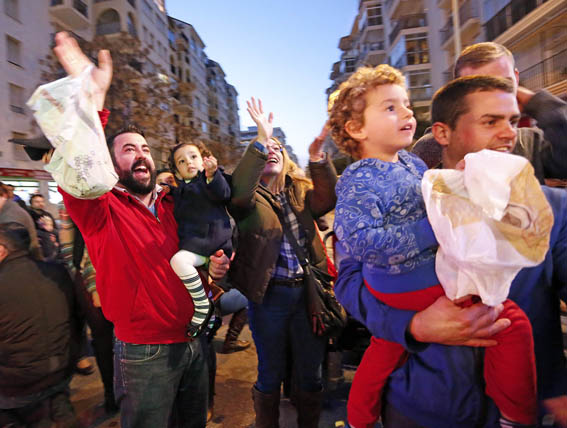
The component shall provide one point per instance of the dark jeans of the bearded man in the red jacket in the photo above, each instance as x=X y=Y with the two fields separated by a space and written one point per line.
x=161 y=385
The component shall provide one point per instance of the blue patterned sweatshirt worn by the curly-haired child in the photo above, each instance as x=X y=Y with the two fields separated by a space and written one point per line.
x=381 y=221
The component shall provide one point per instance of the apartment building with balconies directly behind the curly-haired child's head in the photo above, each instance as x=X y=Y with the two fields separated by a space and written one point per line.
x=401 y=33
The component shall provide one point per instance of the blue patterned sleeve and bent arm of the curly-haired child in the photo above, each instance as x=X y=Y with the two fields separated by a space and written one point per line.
x=359 y=225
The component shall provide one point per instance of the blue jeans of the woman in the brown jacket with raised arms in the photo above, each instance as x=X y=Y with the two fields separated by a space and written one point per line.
x=279 y=322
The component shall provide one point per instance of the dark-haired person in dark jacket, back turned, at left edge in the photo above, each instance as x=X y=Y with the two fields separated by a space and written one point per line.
x=38 y=333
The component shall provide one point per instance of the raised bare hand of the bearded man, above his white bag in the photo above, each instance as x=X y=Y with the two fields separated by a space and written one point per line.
x=74 y=61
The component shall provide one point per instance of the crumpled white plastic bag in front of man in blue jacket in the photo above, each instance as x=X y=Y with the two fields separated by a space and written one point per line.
x=491 y=220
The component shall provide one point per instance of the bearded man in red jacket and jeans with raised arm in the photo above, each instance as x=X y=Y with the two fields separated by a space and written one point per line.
x=131 y=234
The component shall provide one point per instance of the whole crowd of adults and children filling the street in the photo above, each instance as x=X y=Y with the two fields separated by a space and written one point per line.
x=152 y=264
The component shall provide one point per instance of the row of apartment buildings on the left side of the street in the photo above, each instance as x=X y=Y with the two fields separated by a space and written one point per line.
x=28 y=27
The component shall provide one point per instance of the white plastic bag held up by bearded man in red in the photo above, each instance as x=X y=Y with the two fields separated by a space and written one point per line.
x=67 y=115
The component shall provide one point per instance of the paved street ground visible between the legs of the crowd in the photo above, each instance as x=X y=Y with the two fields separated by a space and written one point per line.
x=233 y=402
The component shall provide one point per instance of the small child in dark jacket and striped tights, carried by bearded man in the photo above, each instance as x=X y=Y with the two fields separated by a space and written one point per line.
x=201 y=195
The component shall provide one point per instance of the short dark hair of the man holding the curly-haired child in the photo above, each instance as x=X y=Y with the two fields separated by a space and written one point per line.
x=449 y=101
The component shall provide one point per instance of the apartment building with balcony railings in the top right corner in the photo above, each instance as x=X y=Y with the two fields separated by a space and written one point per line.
x=535 y=31
